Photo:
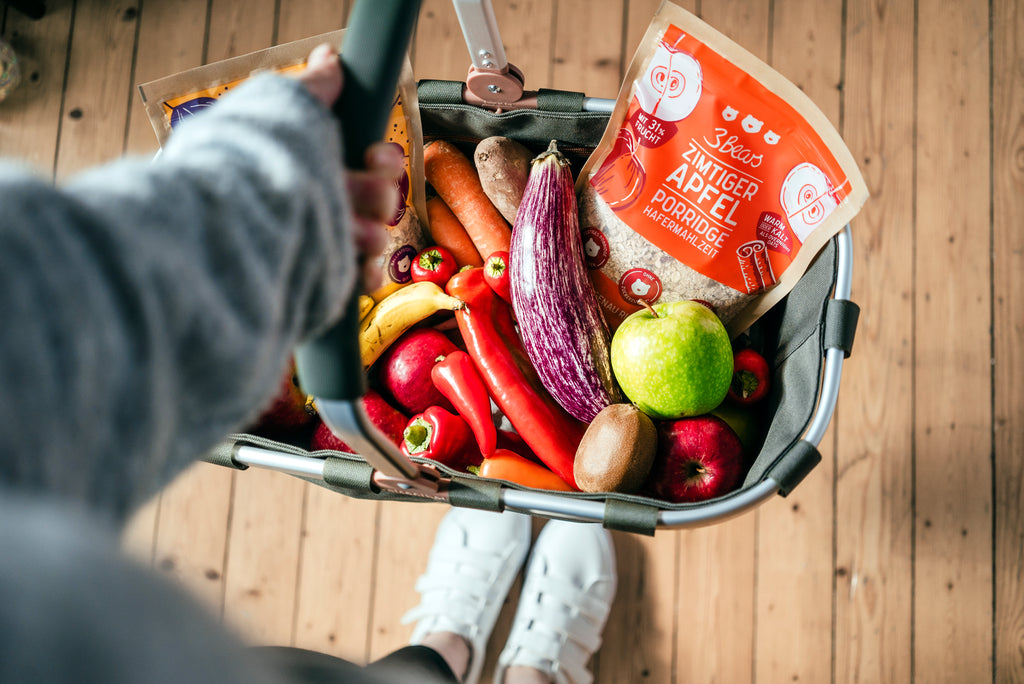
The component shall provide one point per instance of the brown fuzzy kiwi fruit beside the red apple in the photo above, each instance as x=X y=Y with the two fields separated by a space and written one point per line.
x=617 y=452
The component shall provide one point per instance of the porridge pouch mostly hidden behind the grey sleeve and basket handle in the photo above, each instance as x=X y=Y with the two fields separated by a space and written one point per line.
x=170 y=101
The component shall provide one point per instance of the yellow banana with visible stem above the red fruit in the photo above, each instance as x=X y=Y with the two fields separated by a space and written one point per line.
x=397 y=314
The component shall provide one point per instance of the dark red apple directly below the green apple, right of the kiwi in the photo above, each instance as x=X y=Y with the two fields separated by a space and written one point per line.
x=698 y=459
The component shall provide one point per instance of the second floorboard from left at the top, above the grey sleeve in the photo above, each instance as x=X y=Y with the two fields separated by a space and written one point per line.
x=99 y=89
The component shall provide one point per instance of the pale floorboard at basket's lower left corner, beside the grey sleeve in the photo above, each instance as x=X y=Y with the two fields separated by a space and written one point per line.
x=192 y=532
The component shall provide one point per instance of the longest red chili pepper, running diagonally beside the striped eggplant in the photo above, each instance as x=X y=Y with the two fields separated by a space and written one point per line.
x=492 y=340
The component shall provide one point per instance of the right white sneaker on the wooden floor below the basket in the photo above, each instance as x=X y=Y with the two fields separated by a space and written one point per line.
x=567 y=596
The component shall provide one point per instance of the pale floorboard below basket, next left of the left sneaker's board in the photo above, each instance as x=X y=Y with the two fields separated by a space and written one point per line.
x=336 y=579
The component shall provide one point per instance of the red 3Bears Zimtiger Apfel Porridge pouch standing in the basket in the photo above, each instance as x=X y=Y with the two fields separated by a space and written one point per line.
x=717 y=180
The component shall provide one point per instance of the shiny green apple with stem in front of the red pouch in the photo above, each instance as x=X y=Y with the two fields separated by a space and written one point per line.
x=673 y=360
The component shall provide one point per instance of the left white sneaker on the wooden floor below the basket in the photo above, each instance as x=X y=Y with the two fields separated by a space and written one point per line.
x=474 y=563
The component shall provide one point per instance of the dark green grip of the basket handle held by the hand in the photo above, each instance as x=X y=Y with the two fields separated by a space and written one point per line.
x=330 y=366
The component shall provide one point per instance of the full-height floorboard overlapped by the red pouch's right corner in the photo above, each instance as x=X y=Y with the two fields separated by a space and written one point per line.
x=875 y=427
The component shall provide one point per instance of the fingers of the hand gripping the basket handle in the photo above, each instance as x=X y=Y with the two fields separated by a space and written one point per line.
x=374 y=191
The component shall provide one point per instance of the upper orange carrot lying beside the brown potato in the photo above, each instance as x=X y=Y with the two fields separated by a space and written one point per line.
x=453 y=176
